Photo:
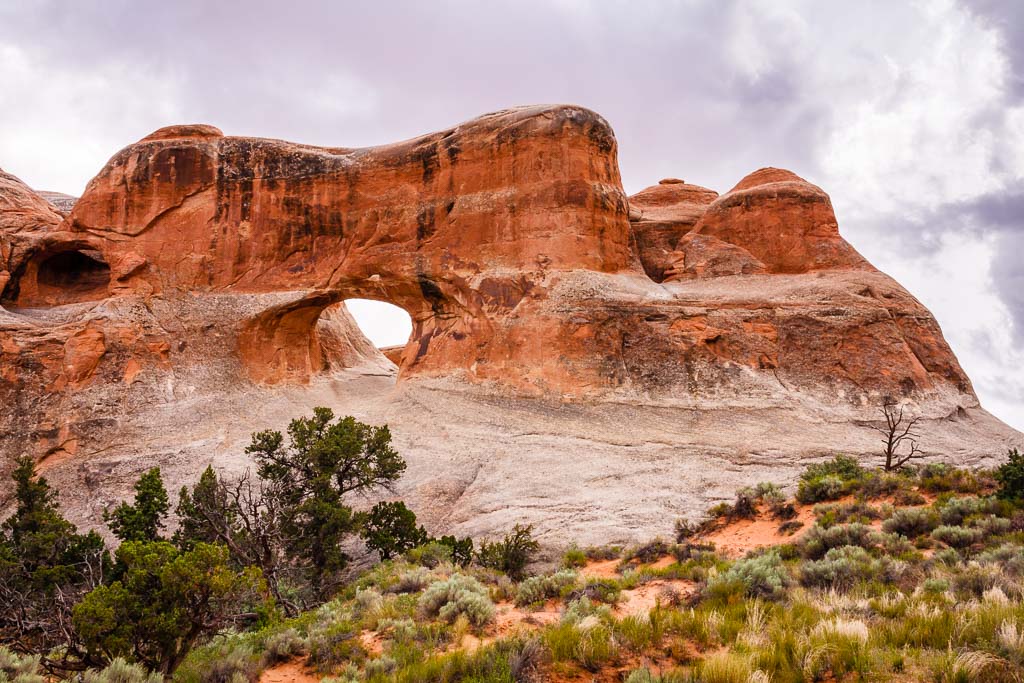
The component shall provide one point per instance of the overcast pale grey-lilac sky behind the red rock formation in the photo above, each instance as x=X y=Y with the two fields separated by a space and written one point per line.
x=910 y=114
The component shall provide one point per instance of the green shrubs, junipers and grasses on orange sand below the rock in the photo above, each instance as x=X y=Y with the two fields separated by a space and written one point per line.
x=911 y=574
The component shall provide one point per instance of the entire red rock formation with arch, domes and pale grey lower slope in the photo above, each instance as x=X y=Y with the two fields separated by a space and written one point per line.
x=570 y=348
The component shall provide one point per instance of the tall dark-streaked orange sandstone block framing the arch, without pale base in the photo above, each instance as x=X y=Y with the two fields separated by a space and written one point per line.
x=452 y=227
